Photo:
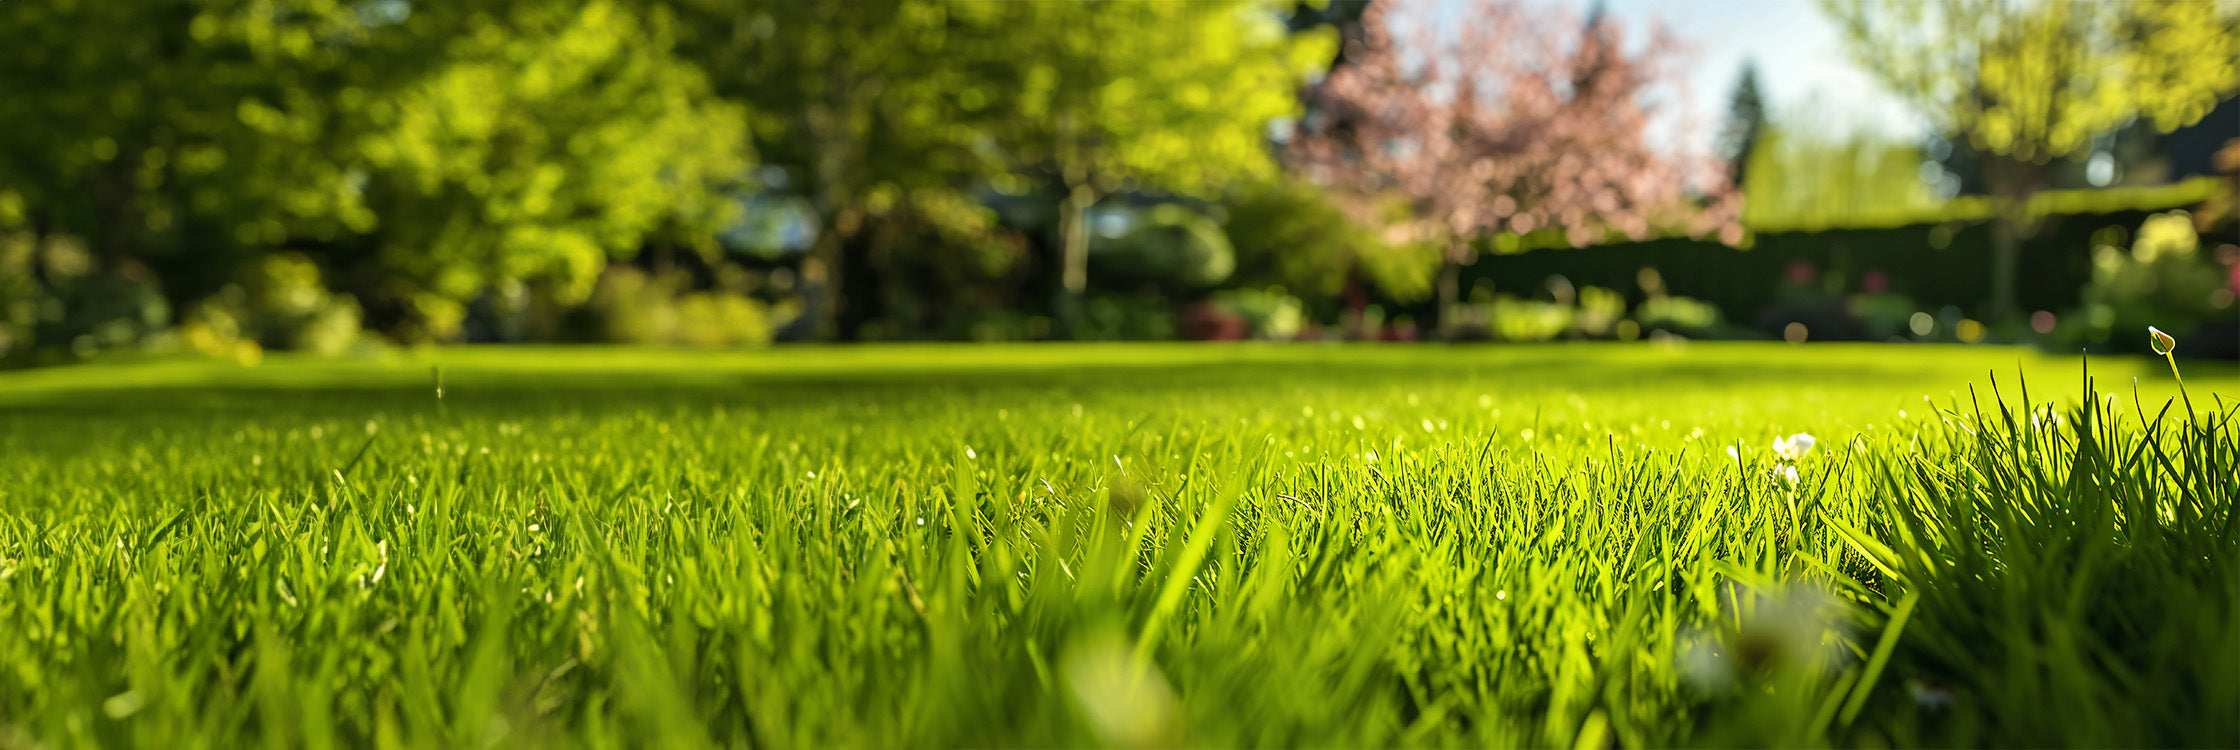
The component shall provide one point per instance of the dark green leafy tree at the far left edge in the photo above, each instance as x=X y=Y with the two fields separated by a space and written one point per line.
x=167 y=144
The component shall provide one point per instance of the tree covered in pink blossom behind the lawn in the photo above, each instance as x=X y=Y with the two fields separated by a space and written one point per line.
x=1493 y=126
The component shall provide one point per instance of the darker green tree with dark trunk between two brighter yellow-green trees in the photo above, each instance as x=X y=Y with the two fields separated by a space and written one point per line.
x=872 y=111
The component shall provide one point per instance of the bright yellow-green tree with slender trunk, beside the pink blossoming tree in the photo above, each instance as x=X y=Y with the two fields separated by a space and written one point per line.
x=1137 y=93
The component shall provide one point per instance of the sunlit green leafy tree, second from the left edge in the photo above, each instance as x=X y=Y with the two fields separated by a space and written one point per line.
x=554 y=140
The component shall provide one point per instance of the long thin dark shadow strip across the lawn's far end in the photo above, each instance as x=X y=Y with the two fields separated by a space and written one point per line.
x=626 y=391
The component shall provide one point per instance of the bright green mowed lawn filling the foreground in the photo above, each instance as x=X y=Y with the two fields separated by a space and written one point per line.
x=1130 y=545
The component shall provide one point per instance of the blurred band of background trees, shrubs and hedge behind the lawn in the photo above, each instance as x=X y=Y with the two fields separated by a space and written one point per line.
x=346 y=176
